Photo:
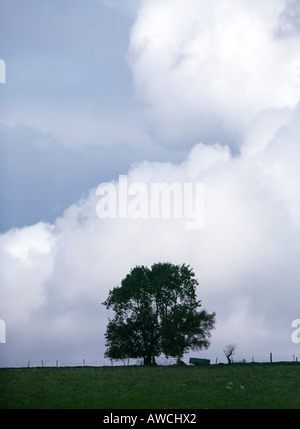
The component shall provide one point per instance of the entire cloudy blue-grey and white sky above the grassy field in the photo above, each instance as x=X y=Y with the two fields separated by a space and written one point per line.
x=157 y=91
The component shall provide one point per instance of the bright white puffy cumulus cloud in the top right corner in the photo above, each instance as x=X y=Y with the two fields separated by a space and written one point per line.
x=202 y=66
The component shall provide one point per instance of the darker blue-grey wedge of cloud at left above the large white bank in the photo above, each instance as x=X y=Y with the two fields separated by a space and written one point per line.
x=40 y=177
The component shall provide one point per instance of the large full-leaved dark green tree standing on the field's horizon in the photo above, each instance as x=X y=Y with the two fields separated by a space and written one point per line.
x=156 y=311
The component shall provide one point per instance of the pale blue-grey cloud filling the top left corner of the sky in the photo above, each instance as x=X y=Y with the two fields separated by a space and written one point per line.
x=63 y=60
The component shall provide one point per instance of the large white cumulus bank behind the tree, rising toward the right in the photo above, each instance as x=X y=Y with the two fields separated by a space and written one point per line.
x=245 y=256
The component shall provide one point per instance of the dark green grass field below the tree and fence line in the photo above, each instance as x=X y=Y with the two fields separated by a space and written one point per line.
x=254 y=386
